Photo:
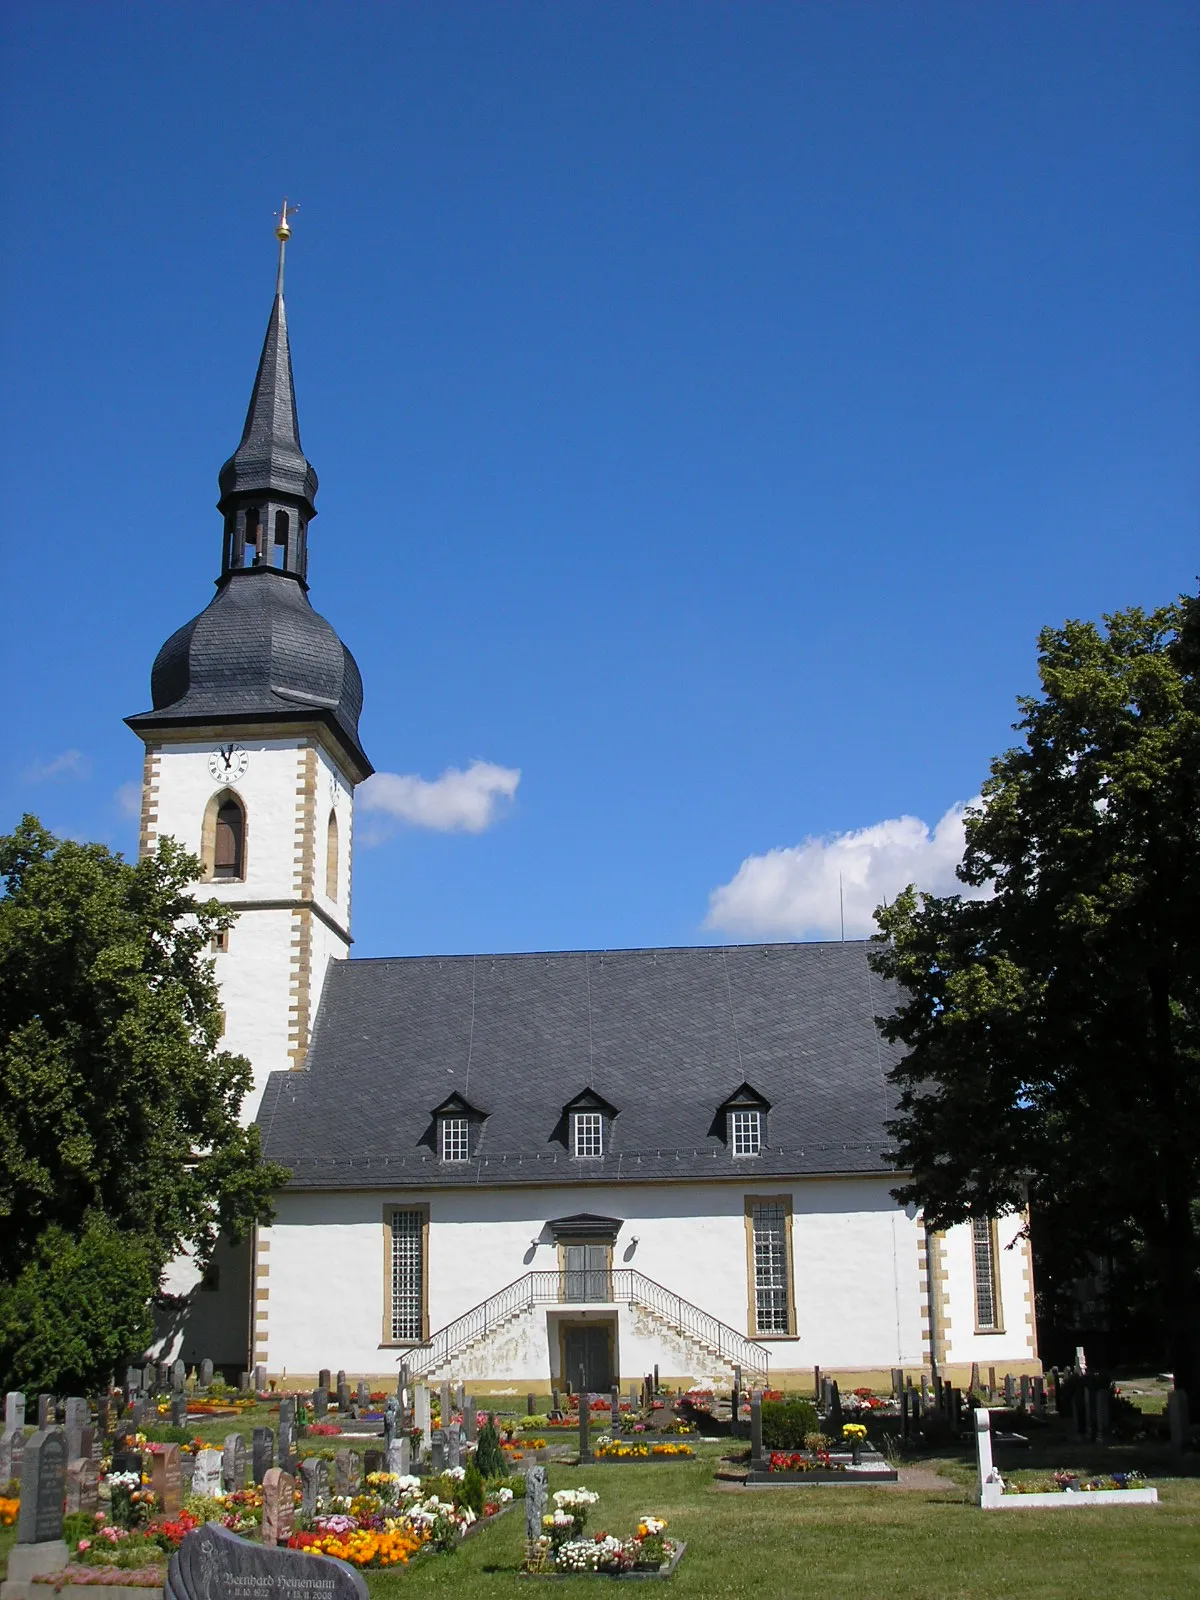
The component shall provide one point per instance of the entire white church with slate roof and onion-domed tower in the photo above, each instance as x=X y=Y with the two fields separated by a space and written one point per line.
x=526 y=1170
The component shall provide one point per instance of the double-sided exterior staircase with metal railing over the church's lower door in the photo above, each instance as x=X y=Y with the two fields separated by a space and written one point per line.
x=721 y=1345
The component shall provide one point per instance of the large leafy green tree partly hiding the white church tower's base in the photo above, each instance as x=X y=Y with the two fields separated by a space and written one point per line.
x=116 y=1100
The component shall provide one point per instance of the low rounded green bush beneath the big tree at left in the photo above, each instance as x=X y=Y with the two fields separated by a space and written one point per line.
x=78 y=1310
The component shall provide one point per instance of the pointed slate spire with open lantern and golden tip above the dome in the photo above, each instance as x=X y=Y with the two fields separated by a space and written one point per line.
x=268 y=486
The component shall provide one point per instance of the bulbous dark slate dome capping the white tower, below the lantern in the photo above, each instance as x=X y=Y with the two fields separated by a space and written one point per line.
x=258 y=654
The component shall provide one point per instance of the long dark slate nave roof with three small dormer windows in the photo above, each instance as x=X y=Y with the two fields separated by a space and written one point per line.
x=663 y=1036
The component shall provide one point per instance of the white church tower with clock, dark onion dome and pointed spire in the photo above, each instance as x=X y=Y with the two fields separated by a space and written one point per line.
x=252 y=748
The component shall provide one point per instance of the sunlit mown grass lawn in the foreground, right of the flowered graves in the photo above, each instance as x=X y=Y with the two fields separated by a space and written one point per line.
x=865 y=1545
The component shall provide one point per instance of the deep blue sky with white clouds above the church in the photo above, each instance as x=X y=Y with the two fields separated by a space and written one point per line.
x=710 y=402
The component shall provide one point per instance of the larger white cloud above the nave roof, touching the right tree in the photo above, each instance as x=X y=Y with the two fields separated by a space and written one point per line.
x=794 y=892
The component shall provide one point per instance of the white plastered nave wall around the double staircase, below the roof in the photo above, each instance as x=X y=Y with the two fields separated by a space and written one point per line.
x=855 y=1271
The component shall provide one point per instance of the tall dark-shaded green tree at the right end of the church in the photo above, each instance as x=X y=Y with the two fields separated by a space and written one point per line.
x=1052 y=1028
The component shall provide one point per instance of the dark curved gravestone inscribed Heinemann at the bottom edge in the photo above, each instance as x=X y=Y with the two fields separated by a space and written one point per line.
x=214 y=1564
